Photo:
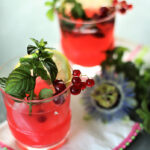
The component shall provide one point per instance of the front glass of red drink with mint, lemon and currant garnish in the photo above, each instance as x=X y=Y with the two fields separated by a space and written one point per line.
x=37 y=96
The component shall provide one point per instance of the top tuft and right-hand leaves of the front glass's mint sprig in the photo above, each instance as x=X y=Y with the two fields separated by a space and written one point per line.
x=42 y=59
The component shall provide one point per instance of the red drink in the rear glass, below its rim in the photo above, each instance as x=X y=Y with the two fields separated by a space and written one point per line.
x=86 y=44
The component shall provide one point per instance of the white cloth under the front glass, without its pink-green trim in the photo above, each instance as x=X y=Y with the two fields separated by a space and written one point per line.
x=84 y=135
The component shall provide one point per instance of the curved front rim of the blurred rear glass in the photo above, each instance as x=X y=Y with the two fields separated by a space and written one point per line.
x=101 y=20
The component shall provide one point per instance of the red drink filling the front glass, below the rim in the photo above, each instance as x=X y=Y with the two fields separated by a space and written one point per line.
x=48 y=124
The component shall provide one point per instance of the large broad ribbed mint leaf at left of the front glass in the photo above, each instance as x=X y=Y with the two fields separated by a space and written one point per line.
x=20 y=81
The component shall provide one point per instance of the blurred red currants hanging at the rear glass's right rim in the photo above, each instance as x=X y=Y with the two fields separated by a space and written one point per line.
x=122 y=6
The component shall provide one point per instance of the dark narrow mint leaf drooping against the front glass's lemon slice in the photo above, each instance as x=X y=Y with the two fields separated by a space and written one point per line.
x=51 y=68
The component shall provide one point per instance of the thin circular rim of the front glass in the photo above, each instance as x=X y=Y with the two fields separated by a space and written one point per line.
x=31 y=101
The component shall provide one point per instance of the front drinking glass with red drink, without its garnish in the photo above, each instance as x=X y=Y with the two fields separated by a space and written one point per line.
x=47 y=126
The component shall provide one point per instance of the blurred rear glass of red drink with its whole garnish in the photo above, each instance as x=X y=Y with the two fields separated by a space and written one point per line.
x=87 y=28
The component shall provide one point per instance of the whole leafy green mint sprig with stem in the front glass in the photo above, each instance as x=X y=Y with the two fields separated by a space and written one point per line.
x=21 y=80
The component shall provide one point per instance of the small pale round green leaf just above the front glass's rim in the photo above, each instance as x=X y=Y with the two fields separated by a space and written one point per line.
x=45 y=93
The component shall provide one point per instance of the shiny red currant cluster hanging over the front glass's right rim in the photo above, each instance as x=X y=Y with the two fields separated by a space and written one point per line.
x=78 y=84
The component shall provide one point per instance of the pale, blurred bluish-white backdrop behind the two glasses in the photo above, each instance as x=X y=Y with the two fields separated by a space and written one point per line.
x=23 y=19
